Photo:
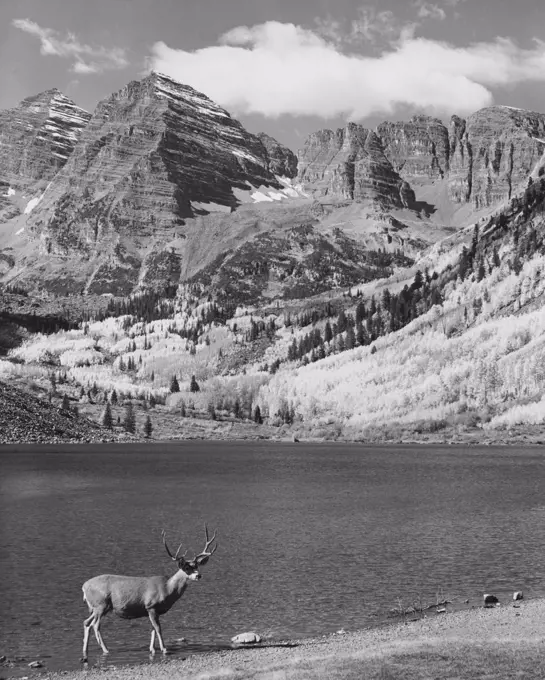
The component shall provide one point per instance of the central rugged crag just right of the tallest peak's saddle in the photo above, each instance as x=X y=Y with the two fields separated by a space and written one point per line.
x=349 y=164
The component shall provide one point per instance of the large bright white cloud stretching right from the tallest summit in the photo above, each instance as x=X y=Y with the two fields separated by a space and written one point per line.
x=276 y=68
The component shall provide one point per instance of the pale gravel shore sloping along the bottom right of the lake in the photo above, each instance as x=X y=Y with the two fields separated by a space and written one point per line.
x=477 y=643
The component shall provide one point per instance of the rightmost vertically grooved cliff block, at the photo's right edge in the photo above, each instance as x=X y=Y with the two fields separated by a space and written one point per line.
x=493 y=153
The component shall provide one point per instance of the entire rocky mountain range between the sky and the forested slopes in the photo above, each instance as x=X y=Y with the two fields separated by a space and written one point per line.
x=161 y=185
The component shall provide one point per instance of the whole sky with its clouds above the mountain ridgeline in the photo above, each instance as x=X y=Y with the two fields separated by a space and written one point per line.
x=285 y=67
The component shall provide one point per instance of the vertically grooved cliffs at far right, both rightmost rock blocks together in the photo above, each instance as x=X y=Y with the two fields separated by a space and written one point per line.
x=484 y=160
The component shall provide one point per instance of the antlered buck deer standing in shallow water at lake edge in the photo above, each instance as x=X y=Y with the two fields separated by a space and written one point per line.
x=133 y=597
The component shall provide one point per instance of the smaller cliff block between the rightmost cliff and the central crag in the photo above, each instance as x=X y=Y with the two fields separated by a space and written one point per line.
x=418 y=148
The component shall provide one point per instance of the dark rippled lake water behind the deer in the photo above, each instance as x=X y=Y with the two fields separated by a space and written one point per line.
x=312 y=538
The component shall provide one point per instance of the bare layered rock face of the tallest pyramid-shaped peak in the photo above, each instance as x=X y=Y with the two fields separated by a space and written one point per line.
x=153 y=154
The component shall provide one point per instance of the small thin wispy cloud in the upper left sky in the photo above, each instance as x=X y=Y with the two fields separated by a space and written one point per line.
x=87 y=59
